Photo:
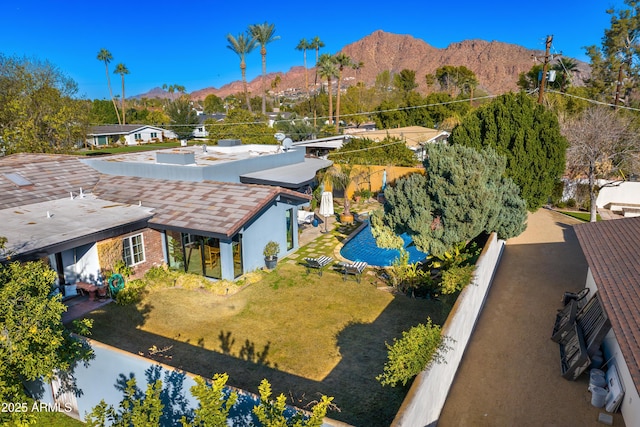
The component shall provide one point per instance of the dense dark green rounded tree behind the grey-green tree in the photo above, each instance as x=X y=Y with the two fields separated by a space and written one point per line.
x=529 y=137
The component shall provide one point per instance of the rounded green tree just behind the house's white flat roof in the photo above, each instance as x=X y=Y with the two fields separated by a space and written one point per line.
x=241 y=124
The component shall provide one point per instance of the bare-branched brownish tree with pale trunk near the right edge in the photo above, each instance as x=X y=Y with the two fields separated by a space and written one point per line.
x=602 y=144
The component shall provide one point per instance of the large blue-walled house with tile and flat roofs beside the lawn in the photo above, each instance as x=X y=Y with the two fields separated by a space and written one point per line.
x=63 y=209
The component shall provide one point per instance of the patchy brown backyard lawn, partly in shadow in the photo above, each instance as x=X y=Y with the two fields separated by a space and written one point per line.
x=308 y=335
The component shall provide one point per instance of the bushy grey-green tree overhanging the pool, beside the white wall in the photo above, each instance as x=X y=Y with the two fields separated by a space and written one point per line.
x=463 y=194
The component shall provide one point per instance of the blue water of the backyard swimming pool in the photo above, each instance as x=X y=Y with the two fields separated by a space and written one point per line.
x=362 y=247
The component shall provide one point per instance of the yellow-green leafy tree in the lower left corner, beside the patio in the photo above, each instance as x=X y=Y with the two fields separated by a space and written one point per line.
x=34 y=344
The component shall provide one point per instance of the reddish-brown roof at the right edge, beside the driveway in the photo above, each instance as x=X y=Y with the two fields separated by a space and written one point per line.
x=612 y=250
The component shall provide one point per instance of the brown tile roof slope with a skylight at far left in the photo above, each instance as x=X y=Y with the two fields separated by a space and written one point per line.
x=51 y=176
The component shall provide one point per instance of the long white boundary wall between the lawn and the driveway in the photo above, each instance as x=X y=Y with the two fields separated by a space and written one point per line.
x=429 y=391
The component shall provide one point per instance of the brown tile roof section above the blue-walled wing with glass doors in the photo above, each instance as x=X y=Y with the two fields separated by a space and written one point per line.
x=216 y=207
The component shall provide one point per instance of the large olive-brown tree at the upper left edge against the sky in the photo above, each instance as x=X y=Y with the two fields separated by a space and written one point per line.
x=38 y=109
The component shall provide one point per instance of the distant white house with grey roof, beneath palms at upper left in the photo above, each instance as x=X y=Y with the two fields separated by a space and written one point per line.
x=133 y=134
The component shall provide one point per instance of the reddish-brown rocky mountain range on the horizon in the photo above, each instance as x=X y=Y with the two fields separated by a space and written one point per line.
x=496 y=64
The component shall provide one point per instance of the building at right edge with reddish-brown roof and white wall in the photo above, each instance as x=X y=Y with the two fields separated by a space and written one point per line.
x=612 y=250
